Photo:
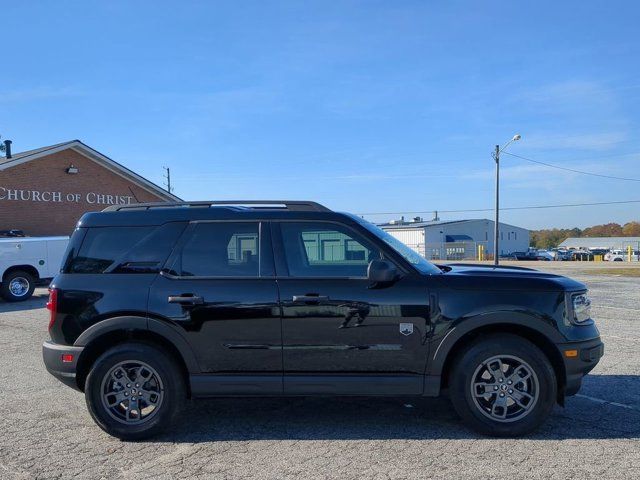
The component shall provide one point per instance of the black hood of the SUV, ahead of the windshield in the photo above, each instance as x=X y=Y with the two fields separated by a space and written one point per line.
x=489 y=277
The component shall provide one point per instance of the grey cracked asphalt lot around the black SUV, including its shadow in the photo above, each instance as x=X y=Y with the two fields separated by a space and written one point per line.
x=46 y=432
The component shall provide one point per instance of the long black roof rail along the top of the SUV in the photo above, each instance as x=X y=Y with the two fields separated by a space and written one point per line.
x=293 y=205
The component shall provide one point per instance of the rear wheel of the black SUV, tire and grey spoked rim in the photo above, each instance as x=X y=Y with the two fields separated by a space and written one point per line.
x=170 y=384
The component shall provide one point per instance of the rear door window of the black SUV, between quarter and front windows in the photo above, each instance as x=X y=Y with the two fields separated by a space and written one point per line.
x=226 y=249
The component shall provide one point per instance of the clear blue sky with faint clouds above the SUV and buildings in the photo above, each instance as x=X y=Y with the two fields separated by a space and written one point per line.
x=365 y=106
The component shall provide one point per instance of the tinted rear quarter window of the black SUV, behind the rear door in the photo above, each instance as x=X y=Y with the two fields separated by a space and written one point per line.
x=103 y=246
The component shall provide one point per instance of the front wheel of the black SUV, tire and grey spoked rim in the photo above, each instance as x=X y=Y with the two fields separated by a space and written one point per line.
x=478 y=413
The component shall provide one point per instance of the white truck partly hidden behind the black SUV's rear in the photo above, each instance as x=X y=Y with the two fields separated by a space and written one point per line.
x=25 y=261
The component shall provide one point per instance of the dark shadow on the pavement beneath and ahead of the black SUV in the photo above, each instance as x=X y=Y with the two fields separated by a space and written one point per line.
x=350 y=418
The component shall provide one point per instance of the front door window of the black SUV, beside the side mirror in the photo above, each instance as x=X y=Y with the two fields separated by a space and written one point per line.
x=325 y=250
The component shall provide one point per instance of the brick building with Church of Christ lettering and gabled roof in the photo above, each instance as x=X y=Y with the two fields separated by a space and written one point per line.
x=46 y=190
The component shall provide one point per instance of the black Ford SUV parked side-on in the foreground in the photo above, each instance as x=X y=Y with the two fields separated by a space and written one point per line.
x=156 y=303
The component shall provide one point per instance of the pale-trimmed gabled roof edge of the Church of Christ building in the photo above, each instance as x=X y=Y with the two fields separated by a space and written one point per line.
x=76 y=145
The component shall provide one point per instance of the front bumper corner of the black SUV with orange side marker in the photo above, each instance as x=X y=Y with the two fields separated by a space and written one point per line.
x=576 y=367
